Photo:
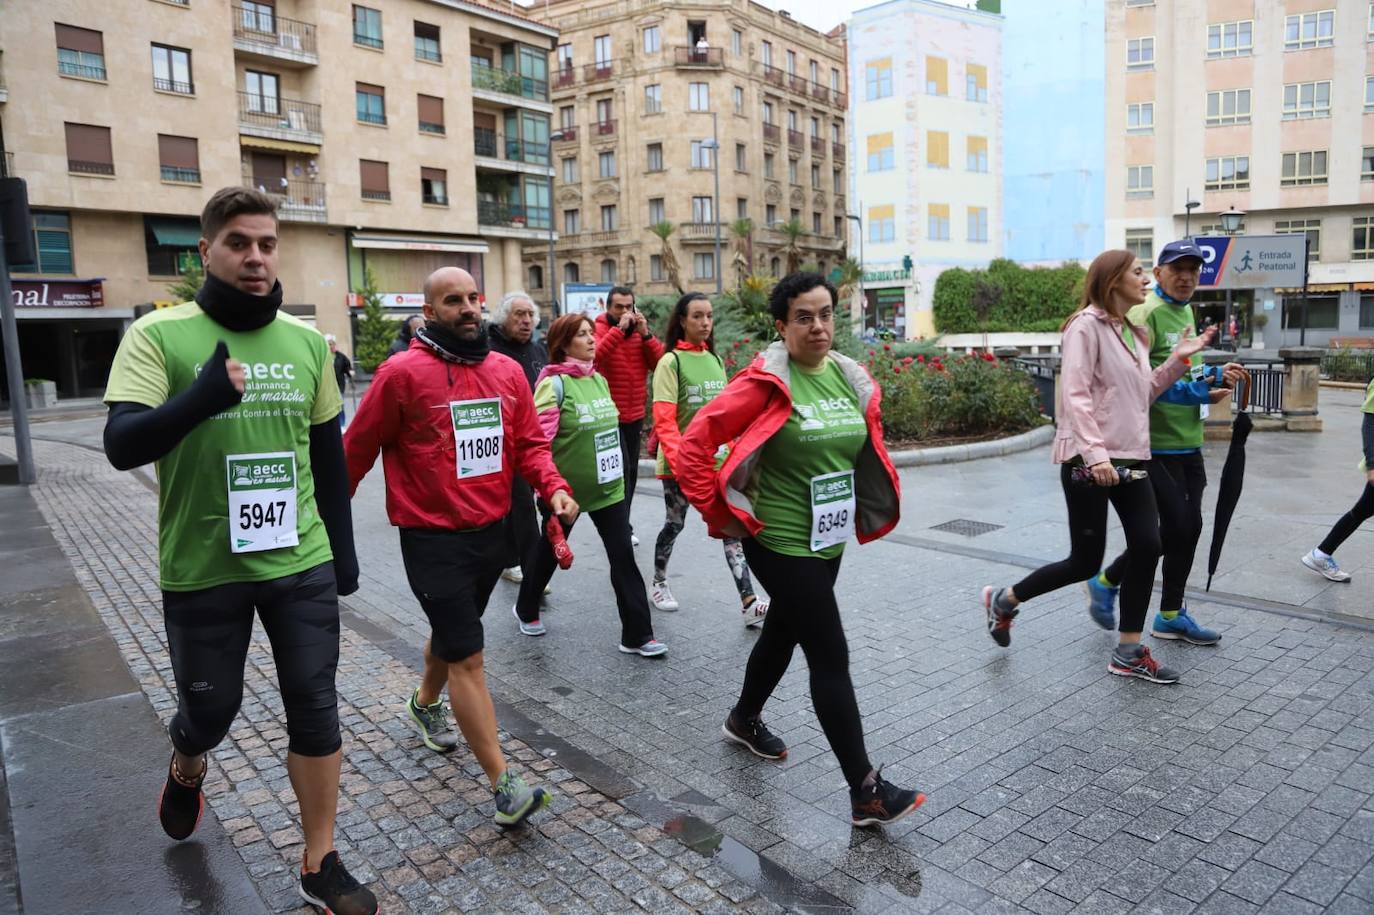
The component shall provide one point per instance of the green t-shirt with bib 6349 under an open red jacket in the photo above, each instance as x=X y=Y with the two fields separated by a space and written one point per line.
x=798 y=466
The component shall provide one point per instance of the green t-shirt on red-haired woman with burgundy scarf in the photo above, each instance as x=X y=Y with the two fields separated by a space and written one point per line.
x=587 y=446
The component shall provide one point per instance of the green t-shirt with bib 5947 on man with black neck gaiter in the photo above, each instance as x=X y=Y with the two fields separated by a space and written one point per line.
x=236 y=497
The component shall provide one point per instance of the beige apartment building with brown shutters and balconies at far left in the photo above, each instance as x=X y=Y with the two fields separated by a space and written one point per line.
x=398 y=137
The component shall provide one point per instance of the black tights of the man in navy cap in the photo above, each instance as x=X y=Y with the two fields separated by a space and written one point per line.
x=1178 y=483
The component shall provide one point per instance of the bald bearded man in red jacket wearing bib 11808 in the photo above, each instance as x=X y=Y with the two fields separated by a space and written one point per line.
x=454 y=421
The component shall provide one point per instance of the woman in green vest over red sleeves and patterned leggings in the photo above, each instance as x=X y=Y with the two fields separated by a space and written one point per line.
x=685 y=381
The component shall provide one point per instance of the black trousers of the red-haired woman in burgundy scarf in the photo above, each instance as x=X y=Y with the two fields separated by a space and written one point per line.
x=613 y=526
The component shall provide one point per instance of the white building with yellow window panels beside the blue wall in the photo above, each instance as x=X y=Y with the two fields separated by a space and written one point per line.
x=927 y=126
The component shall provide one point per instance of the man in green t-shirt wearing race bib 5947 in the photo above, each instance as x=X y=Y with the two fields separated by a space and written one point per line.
x=236 y=402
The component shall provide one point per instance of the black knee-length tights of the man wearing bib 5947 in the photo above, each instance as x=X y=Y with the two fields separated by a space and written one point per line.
x=208 y=640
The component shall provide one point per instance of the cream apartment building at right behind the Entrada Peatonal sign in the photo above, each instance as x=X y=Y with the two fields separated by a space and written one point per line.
x=1261 y=106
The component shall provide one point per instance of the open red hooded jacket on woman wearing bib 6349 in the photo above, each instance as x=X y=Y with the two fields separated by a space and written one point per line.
x=752 y=409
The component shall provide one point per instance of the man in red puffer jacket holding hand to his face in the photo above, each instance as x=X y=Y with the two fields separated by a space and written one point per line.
x=627 y=352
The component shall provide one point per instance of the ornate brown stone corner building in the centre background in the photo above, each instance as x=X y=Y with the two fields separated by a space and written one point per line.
x=653 y=100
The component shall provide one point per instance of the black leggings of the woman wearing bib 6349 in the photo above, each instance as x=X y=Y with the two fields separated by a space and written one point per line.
x=803 y=611
